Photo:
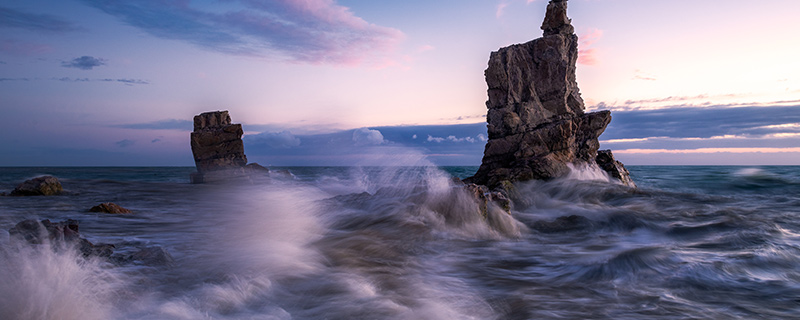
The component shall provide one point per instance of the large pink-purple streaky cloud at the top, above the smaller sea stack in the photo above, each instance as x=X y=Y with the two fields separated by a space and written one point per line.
x=304 y=31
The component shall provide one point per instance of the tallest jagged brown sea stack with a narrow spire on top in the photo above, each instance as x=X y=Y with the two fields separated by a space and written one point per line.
x=536 y=121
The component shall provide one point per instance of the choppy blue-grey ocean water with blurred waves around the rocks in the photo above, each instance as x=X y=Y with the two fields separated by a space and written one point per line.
x=691 y=242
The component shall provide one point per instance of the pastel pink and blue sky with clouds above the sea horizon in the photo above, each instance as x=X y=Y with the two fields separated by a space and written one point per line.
x=357 y=82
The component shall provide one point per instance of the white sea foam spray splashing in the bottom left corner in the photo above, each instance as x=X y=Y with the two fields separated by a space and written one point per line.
x=38 y=282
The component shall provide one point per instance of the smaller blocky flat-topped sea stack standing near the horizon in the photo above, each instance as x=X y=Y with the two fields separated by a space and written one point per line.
x=218 y=149
